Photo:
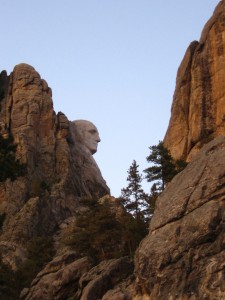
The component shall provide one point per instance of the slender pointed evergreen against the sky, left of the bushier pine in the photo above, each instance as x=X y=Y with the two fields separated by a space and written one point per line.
x=134 y=199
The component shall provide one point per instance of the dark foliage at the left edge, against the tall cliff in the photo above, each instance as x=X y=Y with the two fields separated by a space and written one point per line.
x=10 y=167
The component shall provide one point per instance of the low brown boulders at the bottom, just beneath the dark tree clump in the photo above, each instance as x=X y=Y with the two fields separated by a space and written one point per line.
x=66 y=276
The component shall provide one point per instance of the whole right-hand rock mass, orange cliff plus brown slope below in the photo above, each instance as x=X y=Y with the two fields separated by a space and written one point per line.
x=183 y=257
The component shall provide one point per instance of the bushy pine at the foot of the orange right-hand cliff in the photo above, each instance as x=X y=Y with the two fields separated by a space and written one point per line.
x=164 y=168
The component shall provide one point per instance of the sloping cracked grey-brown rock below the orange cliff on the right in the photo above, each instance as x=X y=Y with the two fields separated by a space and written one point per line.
x=183 y=257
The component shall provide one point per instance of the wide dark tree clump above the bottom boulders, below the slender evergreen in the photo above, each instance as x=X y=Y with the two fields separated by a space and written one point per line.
x=100 y=234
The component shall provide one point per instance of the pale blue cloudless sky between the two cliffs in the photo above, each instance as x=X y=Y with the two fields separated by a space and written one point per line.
x=112 y=62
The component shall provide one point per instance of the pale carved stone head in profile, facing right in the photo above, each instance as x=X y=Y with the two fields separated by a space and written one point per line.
x=88 y=134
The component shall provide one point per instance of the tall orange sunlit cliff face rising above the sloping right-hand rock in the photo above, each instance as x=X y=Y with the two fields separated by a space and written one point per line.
x=198 y=110
